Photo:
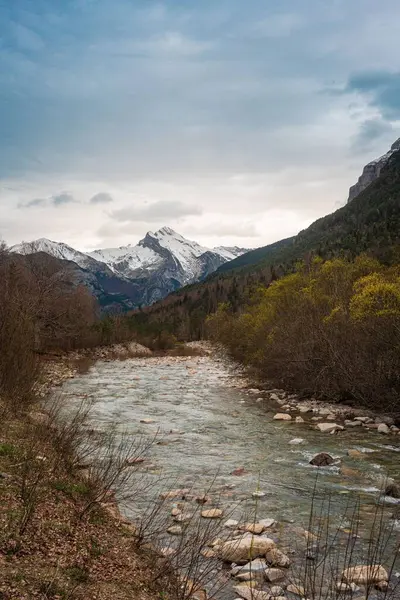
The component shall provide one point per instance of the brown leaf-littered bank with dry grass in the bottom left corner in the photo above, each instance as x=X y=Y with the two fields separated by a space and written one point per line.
x=45 y=550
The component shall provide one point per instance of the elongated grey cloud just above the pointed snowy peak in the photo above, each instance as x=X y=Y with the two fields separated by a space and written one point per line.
x=157 y=211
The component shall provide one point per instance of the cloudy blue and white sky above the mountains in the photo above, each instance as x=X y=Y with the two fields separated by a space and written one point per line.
x=232 y=121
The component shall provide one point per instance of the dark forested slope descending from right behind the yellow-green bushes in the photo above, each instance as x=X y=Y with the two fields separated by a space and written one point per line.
x=369 y=224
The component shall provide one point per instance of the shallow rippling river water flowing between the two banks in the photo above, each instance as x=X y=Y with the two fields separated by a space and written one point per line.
x=206 y=430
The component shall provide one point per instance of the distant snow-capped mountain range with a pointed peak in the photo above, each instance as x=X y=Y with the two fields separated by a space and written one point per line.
x=160 y=263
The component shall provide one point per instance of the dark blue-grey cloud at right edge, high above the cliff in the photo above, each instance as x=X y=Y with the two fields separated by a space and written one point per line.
x=382 y=89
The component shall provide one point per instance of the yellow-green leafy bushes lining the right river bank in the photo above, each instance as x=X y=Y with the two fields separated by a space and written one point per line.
x=331 y=328
